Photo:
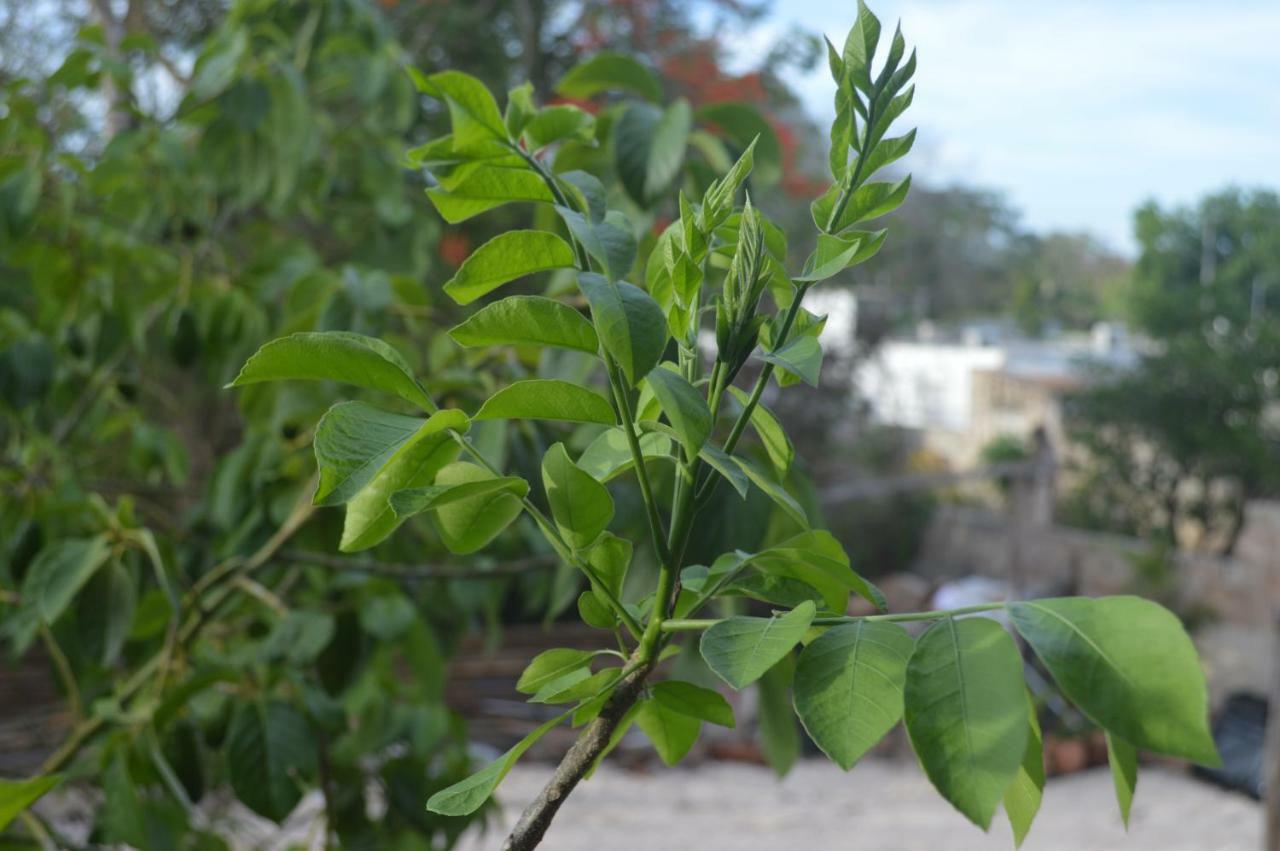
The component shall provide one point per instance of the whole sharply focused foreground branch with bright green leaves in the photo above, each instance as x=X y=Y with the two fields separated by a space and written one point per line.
x=657 y=413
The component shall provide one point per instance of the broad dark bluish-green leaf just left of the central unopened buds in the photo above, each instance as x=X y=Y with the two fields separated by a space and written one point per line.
x=632 y=326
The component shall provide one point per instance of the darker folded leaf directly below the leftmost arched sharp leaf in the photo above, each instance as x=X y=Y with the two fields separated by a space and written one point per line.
x=354 y=442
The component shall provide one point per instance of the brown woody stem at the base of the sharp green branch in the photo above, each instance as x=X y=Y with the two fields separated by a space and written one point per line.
x=578 y=762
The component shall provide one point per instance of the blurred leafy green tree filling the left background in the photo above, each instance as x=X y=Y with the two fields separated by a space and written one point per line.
x=179 y=182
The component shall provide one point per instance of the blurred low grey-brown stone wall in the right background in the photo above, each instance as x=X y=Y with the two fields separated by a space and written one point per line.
x=1235 y=601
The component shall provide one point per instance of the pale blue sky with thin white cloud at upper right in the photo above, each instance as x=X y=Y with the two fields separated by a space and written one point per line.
x=1078 y=111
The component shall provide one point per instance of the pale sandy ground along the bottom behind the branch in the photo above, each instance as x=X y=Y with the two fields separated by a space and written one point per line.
x=879 y=807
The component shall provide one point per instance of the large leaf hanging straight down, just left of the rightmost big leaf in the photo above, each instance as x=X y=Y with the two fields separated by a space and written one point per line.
x=966 y=711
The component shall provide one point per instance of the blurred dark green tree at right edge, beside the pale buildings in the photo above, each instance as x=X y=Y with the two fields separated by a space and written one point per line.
x=1176 y=446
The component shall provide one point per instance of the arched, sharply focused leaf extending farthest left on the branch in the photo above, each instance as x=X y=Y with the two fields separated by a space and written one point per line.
x=336 y=356
